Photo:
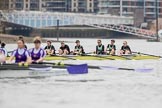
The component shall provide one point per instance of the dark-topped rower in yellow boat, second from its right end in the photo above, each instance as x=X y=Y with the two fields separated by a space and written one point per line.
x=111 y=48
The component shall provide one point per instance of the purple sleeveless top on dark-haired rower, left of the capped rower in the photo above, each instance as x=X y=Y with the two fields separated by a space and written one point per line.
x=20 y=57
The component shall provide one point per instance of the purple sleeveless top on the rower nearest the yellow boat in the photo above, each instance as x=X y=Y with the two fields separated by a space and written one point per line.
x=36 y=56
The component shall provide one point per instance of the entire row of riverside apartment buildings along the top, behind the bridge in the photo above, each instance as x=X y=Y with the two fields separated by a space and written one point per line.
x=114 y=7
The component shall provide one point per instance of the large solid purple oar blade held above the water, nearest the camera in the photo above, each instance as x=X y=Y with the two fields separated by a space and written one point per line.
x=78 y=69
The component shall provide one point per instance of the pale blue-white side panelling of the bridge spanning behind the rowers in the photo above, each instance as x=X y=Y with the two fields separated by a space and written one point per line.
x=45 y=19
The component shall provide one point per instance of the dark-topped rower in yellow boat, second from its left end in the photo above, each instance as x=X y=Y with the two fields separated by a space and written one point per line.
x=64 y=49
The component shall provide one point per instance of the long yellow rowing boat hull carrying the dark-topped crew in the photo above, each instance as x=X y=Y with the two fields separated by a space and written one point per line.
x=102 y=57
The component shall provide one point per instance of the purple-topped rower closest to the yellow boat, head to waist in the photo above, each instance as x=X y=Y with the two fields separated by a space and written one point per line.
x=37 y=53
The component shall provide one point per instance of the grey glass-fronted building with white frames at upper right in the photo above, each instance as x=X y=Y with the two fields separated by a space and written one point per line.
x=128 y=7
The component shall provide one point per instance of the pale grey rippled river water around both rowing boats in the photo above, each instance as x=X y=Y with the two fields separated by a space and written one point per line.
x=98 y=89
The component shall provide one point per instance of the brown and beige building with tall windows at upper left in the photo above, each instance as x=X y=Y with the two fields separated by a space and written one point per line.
x=81 y=6
